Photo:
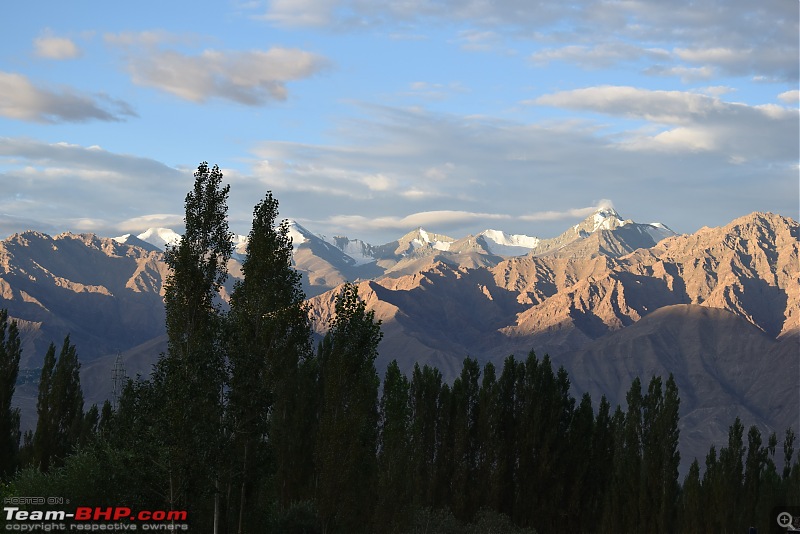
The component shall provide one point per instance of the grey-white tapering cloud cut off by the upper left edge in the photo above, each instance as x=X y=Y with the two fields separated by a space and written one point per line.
x=22 y=100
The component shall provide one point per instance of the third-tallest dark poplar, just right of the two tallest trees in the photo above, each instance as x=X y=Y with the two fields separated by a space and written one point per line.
x=347 y=438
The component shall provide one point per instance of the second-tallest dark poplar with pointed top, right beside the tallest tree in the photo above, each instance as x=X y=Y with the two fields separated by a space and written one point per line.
x=269 y=345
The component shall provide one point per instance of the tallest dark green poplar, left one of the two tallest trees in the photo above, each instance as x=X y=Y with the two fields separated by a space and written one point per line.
x=192 y=373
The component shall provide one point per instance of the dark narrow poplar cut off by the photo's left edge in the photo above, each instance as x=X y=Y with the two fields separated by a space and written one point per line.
x=10 y=352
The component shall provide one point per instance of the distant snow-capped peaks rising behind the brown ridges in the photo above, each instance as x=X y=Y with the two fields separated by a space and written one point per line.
x=327 y=261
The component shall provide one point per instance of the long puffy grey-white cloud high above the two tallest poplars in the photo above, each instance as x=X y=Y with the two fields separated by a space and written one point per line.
x=251 y=78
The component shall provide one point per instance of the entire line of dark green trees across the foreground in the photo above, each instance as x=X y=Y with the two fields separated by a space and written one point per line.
x=251 y=427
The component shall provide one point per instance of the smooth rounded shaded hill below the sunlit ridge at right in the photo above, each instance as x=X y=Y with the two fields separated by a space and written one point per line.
x=724 y=367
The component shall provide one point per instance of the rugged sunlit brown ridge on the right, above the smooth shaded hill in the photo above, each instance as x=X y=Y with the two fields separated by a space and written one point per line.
x=556 y=304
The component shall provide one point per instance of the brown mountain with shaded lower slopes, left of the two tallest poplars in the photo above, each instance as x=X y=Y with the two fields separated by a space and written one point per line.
x=106 y=295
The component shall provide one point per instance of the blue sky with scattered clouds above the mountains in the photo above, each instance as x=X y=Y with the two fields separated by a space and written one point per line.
x=369 y=118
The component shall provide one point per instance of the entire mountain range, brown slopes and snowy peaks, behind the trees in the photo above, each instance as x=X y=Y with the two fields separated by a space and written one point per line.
x=609 y=299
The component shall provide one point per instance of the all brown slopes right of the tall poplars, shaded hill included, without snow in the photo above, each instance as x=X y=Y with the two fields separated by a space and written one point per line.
x=719 y=309
